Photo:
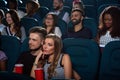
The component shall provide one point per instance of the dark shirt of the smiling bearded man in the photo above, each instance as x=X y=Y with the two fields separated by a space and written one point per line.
x=83 y=33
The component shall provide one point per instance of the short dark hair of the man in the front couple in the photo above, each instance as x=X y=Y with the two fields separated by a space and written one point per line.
x=38 y=29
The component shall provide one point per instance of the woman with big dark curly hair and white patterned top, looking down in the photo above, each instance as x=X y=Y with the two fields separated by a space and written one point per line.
x=109 y=25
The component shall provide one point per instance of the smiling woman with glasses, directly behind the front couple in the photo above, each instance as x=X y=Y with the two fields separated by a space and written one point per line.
x=50 y=23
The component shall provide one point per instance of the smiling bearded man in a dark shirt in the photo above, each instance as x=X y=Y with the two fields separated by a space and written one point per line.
x=78 y=30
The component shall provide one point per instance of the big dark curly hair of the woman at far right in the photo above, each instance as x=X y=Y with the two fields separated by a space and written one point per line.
x=114 y=12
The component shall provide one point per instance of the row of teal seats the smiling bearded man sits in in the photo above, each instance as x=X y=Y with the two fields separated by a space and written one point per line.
x=87 y=22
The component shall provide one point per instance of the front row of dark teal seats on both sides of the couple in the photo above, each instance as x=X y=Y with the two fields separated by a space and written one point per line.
x=85 y=56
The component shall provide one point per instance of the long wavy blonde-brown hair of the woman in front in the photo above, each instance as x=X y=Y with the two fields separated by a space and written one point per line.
x=57 y=51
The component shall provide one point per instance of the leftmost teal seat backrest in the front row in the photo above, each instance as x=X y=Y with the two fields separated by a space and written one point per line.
x=11 y=46
